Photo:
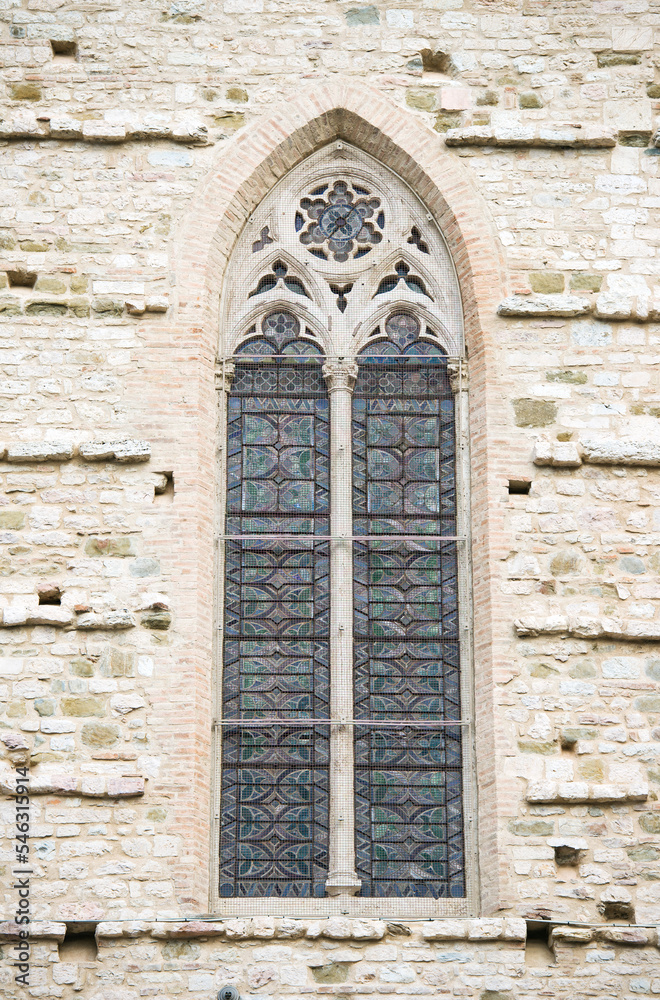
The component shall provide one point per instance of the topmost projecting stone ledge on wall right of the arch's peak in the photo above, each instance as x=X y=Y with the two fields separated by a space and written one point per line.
x=559 y=136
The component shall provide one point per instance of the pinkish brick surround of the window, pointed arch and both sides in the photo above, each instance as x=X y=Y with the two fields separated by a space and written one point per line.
x=246 y=170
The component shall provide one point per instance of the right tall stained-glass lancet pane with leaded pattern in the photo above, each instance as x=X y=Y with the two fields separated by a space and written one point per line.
x=409 y=825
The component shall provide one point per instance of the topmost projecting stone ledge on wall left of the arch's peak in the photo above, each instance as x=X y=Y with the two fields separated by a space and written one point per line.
x=117 y=126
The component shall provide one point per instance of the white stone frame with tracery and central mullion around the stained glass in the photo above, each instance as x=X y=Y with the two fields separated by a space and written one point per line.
x=342 y=335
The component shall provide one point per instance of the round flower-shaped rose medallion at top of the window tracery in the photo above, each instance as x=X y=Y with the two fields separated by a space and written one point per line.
x=346 y=222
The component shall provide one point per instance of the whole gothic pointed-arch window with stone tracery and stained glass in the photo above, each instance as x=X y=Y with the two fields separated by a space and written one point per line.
x=344 y=713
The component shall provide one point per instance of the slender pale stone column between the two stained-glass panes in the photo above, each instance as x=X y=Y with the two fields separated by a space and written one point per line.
x=342 y=877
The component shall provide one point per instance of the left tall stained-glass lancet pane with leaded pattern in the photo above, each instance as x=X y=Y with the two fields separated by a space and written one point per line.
x=274 y=831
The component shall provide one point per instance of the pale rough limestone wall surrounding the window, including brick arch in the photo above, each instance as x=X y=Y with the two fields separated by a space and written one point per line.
x=135 y=142
